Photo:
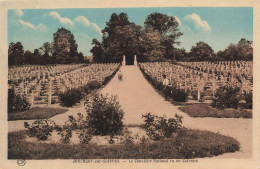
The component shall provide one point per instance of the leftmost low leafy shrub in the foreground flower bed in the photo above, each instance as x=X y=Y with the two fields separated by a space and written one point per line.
x=40 y=128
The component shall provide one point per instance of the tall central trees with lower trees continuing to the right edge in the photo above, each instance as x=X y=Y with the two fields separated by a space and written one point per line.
x=158 y=41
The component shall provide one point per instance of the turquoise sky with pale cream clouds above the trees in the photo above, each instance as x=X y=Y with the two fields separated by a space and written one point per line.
x=216 y=26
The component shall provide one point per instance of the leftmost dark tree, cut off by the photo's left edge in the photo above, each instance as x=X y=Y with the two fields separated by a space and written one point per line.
x=15 y=54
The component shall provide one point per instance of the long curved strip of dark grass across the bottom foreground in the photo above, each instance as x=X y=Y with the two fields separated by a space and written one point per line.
x=188 y=144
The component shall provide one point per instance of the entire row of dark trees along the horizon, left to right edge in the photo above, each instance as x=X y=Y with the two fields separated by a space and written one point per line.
x=157 y=40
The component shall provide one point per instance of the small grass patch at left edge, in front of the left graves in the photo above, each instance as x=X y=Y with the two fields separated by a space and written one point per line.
x=36 y=113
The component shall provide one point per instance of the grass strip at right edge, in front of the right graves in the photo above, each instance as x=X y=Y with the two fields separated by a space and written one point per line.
x=205 y=110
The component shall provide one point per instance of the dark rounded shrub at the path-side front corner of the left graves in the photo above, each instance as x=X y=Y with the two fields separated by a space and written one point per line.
x=70 y=97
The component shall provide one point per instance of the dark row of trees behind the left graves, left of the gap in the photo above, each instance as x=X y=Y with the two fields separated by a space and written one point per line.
x=62 y=50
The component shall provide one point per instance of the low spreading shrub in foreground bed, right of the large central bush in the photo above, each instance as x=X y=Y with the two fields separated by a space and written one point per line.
x=160 y=127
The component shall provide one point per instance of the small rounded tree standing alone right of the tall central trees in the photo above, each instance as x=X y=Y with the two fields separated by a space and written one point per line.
x=201 y=51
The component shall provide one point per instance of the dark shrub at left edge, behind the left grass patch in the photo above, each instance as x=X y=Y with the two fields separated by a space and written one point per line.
x=16 y=103
